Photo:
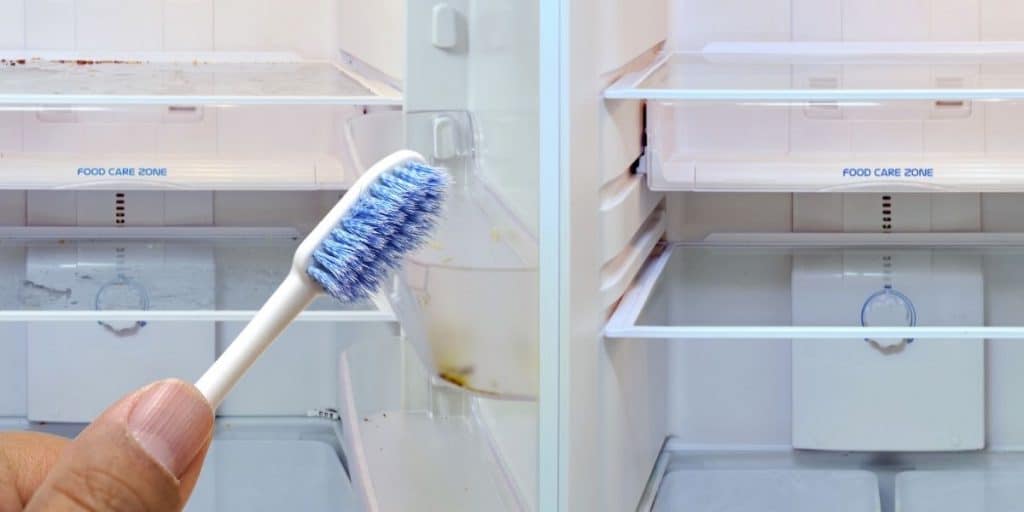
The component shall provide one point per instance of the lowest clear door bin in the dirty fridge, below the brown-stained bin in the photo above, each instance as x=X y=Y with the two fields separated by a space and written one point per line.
x=417 y=443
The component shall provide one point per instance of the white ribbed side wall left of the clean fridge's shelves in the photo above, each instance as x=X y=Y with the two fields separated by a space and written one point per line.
x=612 y=394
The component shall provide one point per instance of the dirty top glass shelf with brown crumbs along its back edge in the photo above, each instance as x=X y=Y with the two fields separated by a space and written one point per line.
x=200 y=79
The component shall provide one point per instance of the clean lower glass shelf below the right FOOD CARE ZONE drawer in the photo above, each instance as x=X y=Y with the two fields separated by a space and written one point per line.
x=890 y=290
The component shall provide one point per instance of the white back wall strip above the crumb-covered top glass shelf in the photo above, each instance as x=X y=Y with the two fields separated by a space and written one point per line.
x=307 y=27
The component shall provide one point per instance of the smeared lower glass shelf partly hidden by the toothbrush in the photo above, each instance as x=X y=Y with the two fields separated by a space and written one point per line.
x=218 y=275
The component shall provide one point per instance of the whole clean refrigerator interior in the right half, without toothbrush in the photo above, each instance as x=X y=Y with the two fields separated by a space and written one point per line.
x=808 y=227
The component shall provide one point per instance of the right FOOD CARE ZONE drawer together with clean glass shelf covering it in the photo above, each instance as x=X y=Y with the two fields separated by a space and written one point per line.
x=834 y=117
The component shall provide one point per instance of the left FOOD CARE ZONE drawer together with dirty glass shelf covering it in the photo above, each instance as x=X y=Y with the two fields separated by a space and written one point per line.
x=220 y=121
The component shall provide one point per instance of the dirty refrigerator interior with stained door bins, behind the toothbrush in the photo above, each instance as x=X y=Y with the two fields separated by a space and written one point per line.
x=161 y=160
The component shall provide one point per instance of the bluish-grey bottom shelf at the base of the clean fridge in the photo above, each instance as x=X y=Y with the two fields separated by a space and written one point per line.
x=688 y=478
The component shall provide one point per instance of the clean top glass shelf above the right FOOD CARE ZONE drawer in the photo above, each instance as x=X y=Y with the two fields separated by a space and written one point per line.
x=831 y=72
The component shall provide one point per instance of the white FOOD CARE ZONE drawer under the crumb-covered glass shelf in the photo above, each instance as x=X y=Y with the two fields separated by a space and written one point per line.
x=179 y=147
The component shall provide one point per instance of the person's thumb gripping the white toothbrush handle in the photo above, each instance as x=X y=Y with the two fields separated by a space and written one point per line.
x=144 y=453
